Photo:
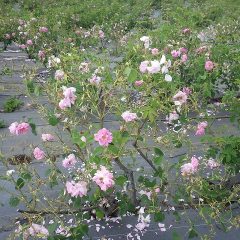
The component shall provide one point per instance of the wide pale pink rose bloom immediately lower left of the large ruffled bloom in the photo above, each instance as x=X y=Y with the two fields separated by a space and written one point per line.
x=76 y=189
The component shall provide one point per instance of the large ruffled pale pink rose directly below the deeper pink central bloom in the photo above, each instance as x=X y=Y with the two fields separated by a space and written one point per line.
x=103 y=178
